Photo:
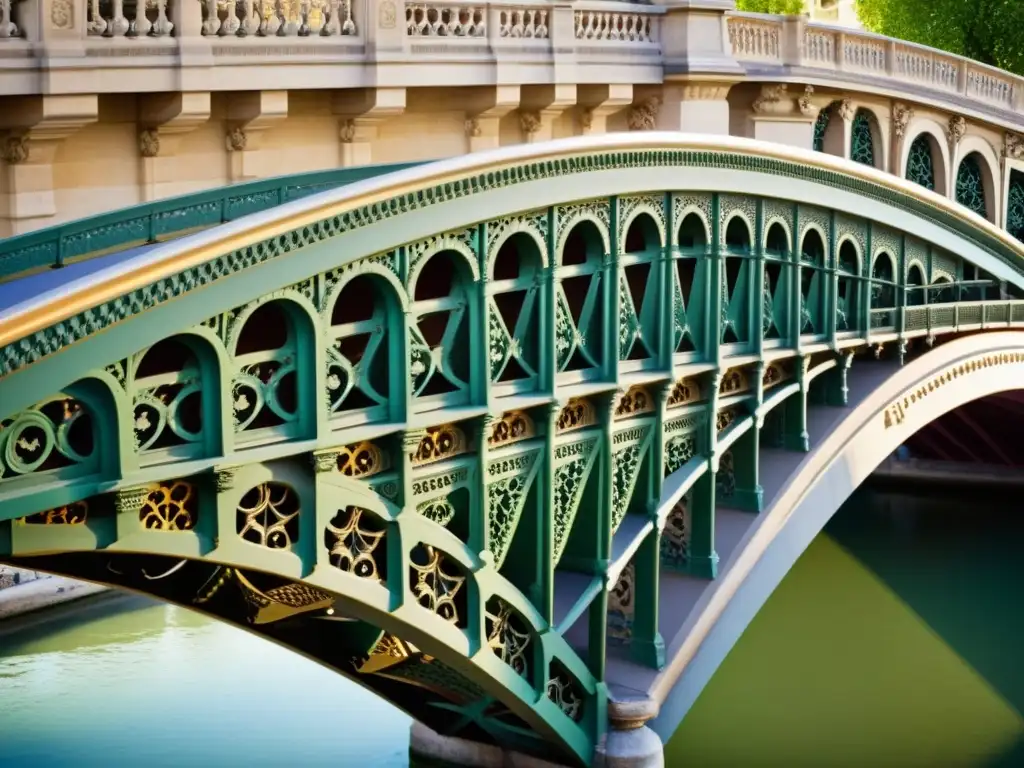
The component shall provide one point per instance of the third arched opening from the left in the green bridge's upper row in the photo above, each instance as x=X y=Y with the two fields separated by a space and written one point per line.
x=273 y=345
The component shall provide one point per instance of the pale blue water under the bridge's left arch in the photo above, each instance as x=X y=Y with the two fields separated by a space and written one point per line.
x=124 y=682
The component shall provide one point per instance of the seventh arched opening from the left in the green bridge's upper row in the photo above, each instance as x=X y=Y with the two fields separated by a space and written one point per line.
x=580 y=302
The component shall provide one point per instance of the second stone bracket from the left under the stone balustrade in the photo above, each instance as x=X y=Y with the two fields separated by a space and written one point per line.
x=164 y=119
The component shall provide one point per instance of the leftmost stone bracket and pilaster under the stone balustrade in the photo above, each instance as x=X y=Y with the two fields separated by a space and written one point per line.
x=32 y=133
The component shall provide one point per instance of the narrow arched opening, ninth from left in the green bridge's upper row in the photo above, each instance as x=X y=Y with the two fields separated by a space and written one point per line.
x=690 y=273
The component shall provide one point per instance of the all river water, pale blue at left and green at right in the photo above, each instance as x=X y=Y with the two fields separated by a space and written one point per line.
x=895 y=642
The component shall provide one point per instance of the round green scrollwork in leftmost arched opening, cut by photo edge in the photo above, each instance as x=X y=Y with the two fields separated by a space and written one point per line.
x=53 y=435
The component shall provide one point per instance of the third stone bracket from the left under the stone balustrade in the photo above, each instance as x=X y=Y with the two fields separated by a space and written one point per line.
x=249 y=117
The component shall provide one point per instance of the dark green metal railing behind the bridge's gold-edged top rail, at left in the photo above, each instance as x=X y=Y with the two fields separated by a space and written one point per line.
x=165 y=220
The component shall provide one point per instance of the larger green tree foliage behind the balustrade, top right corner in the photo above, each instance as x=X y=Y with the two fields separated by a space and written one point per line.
x=988 y=31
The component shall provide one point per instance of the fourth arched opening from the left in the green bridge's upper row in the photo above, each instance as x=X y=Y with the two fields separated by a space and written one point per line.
x=366 y=356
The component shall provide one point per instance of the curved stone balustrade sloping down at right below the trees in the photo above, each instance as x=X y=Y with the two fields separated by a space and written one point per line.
x=793 y=42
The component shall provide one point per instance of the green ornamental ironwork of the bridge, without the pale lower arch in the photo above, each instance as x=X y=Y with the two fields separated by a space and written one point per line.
x=465 y=444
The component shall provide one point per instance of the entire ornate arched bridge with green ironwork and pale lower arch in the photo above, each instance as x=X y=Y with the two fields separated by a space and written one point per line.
x=519 y=441
